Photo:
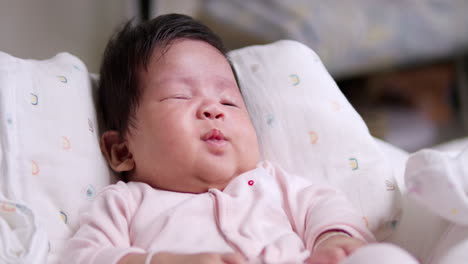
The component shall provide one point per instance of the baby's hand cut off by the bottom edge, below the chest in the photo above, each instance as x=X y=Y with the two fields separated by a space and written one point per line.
x=202 y=258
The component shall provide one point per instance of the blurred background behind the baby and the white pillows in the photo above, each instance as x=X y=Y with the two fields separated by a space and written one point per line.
x=402 y=64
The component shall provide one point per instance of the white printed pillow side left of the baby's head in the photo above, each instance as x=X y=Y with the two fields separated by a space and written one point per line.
x=51 y=162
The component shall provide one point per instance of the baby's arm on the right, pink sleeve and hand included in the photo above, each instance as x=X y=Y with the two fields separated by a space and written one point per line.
x=322 y=216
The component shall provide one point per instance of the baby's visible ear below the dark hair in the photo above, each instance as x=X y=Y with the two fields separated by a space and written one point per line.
x=116 y=151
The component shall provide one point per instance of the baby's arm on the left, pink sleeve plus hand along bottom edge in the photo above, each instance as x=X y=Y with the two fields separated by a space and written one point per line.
x=104 y=236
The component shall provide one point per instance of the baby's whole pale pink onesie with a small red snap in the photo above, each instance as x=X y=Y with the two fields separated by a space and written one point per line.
x=267 y=215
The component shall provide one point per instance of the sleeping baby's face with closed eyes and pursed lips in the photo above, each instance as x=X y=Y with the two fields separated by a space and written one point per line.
x=192 y=129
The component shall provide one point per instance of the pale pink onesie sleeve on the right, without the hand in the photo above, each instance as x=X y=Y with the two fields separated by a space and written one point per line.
x=317 y=208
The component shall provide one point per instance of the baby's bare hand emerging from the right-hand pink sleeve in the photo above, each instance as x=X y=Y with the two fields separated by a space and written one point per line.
x=334 y=249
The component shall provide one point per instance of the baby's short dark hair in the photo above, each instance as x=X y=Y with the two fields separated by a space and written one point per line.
x=128 y=53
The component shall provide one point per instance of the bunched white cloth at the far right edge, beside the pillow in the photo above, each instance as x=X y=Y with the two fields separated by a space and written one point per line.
x=439 y=181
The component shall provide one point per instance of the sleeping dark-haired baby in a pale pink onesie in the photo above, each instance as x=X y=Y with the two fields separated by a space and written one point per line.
x=194 y=189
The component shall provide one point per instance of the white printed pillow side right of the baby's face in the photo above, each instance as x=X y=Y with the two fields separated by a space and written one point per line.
x=305 y=124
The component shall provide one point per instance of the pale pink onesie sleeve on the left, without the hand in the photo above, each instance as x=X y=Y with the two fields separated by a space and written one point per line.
x=103 y=236
